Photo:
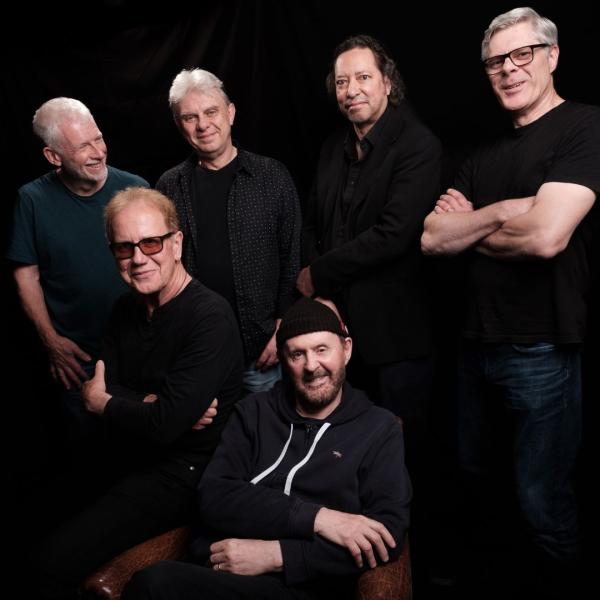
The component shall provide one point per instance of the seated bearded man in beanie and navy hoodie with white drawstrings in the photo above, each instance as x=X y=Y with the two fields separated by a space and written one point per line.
x=307 y=488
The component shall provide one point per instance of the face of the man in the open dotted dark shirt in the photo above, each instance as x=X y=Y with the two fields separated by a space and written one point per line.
x=205 y=120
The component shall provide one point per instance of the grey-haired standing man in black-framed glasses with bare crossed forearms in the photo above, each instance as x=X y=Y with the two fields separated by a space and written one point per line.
x=522 y=207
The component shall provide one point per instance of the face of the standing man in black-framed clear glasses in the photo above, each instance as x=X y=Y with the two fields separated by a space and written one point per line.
x=526 y=91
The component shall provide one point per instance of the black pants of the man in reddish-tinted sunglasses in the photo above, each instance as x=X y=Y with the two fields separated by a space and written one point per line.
x=137 y=508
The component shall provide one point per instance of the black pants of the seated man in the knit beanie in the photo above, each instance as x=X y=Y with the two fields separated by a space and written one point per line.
x=170 y=580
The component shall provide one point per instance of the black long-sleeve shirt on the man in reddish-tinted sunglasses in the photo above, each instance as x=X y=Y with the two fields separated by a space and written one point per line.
x=187 y=354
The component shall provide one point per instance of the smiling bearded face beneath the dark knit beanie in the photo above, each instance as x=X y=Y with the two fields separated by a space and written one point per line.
x=316 y=363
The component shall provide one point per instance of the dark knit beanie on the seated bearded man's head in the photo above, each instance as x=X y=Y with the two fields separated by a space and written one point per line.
x=308 y=316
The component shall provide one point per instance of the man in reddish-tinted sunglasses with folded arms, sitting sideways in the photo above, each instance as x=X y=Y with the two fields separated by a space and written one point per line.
x=172 y=347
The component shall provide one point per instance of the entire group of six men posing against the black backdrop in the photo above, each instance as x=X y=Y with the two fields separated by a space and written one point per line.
x=309 y=477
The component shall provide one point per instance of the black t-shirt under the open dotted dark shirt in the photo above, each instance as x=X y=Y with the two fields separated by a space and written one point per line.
x=211 y=192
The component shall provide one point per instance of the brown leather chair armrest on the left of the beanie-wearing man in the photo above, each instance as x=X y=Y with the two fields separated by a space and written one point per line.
x=110 y=579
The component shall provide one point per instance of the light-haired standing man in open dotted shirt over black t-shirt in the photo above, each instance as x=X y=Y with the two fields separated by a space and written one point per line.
x=240 y=218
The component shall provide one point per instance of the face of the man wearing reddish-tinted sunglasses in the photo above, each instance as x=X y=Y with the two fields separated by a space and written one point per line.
x=157 y=276
